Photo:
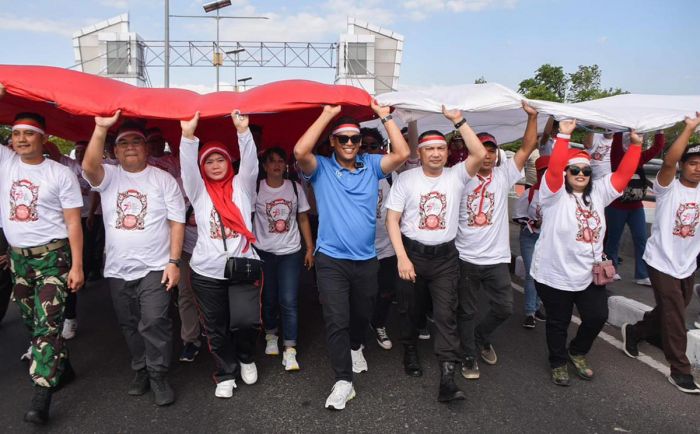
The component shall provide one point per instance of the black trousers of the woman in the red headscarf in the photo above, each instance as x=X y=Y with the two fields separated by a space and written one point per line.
x=230 y=313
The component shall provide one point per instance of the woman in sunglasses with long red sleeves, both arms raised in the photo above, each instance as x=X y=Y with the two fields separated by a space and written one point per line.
x=570 y=243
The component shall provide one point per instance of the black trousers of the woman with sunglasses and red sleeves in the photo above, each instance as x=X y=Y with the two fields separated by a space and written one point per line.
x=592 y=305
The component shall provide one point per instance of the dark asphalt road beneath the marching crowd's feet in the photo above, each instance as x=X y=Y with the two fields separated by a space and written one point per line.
x=513 y=396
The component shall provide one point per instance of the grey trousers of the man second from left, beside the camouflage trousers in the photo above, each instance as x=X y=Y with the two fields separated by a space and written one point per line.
x=142 y=307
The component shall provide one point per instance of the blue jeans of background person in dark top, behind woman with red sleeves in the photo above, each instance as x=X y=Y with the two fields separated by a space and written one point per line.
x=616 y=220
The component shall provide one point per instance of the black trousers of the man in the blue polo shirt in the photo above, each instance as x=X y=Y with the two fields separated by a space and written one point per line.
x=347 y=290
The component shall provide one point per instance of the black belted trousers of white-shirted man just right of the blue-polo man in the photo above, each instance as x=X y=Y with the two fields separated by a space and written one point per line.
x=439 y=276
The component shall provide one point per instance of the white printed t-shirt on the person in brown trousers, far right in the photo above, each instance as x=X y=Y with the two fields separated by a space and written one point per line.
x=674 y=243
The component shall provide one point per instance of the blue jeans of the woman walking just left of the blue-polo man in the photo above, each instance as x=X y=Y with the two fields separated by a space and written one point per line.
x=280 y=291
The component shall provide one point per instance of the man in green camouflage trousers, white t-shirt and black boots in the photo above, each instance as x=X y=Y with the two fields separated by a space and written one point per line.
x=40 y=205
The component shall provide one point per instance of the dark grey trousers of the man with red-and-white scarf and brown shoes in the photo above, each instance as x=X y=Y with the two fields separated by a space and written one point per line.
x=495 y=281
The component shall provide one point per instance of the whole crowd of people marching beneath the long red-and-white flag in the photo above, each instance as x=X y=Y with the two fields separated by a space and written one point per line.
x=424 y=225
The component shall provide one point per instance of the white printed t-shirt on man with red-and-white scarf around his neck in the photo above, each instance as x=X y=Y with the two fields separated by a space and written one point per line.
x=483 y=237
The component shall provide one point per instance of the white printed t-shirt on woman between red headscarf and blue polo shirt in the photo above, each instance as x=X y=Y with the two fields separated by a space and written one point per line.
x=276 y=228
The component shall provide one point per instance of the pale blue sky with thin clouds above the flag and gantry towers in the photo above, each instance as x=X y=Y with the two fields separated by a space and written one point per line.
x=642 y=46
